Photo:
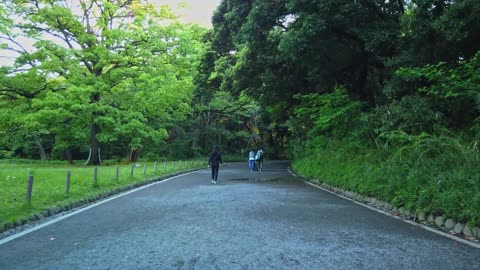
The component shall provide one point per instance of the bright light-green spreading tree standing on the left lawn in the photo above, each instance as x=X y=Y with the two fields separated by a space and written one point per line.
x=122 y=68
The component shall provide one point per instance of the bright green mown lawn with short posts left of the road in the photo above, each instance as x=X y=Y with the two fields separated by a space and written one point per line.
x=49 y=186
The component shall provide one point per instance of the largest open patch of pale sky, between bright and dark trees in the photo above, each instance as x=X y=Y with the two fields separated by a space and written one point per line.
x=196 y=11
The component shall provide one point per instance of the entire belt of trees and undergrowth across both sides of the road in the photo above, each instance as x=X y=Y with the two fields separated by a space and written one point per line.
x=380 y=97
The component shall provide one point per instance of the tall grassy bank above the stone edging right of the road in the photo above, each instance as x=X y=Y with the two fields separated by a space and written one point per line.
x=435 y=182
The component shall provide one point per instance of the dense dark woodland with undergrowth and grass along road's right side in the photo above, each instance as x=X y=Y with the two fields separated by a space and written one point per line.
x=376 y=97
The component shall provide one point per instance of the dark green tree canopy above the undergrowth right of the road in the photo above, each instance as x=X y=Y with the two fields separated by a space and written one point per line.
x=384 y=54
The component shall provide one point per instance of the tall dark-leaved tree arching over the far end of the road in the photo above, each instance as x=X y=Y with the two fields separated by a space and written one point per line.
x=274 y=50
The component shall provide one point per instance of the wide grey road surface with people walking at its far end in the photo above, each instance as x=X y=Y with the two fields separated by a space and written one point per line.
x=268 y=220
